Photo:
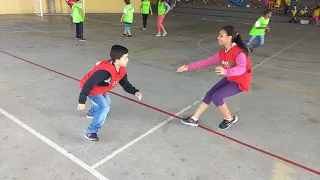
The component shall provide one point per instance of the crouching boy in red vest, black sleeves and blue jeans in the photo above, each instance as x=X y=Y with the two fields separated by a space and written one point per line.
x=100 y=80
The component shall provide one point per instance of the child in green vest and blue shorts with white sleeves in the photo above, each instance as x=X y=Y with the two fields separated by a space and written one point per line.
x=127 y=18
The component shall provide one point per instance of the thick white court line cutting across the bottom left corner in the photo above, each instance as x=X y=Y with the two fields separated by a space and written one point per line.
x=54 y=146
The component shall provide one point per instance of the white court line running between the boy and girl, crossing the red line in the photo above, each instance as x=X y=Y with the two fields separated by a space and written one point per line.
x=107 y=158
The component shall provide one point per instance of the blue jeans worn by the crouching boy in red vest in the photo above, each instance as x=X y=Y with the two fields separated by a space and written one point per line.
x=99 y=111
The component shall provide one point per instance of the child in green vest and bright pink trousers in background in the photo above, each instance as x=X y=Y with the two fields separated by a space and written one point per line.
x=163 y=9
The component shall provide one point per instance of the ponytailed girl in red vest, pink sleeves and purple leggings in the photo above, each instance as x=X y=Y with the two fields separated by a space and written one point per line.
x=236 y=67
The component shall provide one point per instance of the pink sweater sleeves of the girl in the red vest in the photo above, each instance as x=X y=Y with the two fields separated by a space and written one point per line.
x=215 y=59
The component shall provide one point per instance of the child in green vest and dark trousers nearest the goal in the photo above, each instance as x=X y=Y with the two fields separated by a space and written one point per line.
x=78 y=18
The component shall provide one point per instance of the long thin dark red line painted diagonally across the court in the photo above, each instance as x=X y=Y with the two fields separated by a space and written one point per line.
x=170 y=114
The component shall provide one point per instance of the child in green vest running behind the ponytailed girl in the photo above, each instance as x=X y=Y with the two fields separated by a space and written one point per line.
x=258 y=30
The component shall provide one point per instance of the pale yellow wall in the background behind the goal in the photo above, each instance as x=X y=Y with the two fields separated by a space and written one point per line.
x=92 y=6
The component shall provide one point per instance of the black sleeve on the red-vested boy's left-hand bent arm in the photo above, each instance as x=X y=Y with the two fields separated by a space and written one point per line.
x=96 y=78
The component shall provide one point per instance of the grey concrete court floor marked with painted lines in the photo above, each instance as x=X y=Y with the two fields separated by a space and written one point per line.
x=42 y=133
